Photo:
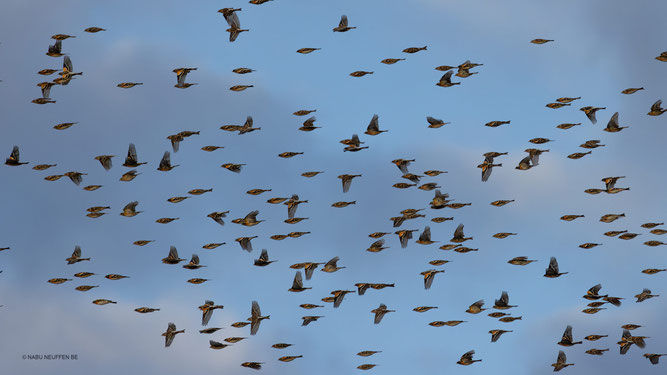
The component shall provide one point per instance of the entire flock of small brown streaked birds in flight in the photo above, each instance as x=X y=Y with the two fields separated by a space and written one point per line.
x=501 y=307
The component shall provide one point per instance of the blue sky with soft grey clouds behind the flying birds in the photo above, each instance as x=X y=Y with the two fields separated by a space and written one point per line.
x=601 y=48
